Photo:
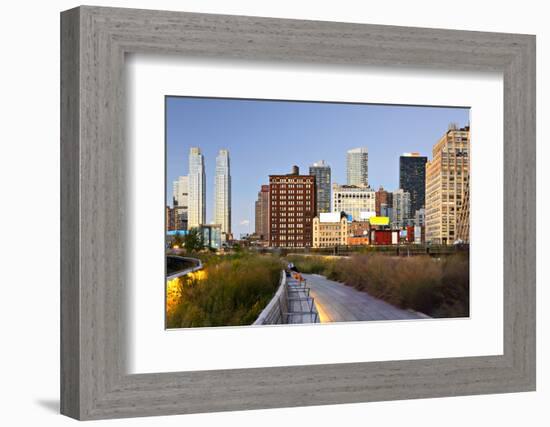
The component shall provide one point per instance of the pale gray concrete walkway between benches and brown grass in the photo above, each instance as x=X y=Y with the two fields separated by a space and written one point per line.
x=340 y=303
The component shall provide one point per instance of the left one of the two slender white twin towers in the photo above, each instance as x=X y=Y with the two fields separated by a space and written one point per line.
x=197 y=189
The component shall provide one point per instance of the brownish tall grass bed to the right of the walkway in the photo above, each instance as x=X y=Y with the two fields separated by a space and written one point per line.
x=436 y=287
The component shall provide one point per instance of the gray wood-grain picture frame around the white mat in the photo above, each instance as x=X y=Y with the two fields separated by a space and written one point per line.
x=94 y=41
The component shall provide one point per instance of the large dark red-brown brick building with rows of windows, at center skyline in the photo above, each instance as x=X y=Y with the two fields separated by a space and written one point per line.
x=292 y=207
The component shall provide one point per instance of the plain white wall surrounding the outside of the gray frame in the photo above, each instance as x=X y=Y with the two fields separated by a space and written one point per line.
x=30 y=159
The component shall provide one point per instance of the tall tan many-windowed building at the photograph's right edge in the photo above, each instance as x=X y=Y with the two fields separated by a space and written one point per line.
x=447 y=177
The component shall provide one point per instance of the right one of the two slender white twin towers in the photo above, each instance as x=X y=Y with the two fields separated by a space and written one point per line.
x=222 y=199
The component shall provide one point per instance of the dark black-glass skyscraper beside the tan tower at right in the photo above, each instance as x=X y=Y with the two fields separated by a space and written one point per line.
x=412 y=178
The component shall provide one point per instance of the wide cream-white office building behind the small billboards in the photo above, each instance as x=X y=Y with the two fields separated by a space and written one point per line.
x=357 y=201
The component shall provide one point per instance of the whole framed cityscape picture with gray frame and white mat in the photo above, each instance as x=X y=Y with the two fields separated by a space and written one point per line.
x=262 y=213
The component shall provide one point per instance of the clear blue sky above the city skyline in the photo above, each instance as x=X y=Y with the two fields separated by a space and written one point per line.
x=268 y=137
